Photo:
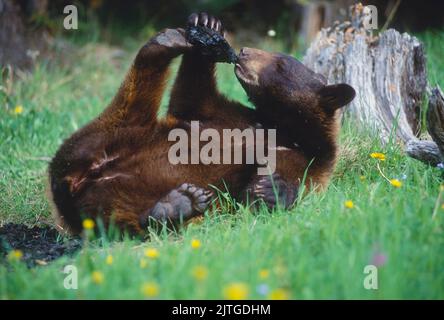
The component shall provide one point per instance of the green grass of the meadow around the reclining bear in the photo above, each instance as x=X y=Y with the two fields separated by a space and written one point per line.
x=317 y=250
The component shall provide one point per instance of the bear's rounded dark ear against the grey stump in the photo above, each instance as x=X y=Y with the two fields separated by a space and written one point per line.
x=336 y=96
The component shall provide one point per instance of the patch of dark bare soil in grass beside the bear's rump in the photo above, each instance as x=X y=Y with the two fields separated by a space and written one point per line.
x=38 y=244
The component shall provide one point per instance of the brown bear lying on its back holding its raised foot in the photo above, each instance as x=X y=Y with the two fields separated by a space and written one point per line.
x=116 y=168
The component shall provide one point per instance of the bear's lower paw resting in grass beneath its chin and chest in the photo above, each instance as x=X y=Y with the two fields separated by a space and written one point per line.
x=274 y=190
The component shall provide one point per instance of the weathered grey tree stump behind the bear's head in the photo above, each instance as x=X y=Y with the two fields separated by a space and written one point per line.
x=389 y=75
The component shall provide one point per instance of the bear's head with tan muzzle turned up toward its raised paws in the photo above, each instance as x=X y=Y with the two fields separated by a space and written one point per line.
x=284 y=91
